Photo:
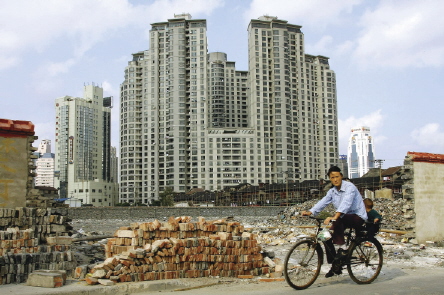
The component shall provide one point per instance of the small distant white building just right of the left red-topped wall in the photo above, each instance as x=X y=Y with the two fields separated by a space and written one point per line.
x=44 y=165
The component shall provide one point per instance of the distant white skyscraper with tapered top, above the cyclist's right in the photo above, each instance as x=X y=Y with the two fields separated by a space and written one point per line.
x=360 y=152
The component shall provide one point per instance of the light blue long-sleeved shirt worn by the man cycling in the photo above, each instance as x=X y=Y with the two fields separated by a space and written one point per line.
x=347 y=200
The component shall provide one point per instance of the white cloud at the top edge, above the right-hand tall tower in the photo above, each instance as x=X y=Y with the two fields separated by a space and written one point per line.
x=317 y=13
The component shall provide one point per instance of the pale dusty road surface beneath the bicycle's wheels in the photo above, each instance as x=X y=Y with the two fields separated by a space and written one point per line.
x=393 y=280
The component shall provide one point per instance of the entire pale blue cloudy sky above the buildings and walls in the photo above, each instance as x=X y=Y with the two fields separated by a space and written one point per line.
x=388 y=57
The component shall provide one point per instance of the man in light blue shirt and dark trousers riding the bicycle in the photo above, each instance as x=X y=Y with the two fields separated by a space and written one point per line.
x=350 y=212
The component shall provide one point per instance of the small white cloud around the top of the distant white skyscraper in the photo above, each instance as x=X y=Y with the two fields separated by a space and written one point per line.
x=373 y=120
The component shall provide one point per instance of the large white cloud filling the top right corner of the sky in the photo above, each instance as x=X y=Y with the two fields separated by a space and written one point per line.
x=402 y=34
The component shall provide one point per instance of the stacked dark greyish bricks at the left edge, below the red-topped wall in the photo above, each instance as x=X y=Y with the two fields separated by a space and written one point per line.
x=33 y=239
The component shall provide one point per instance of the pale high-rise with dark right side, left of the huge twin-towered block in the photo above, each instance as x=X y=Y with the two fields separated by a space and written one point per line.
x=83 y=147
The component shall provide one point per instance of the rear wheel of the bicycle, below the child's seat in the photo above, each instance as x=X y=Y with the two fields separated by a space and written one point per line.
x=365 y=260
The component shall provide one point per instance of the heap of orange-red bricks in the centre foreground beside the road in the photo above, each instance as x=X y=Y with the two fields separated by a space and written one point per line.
x=180 y=248
